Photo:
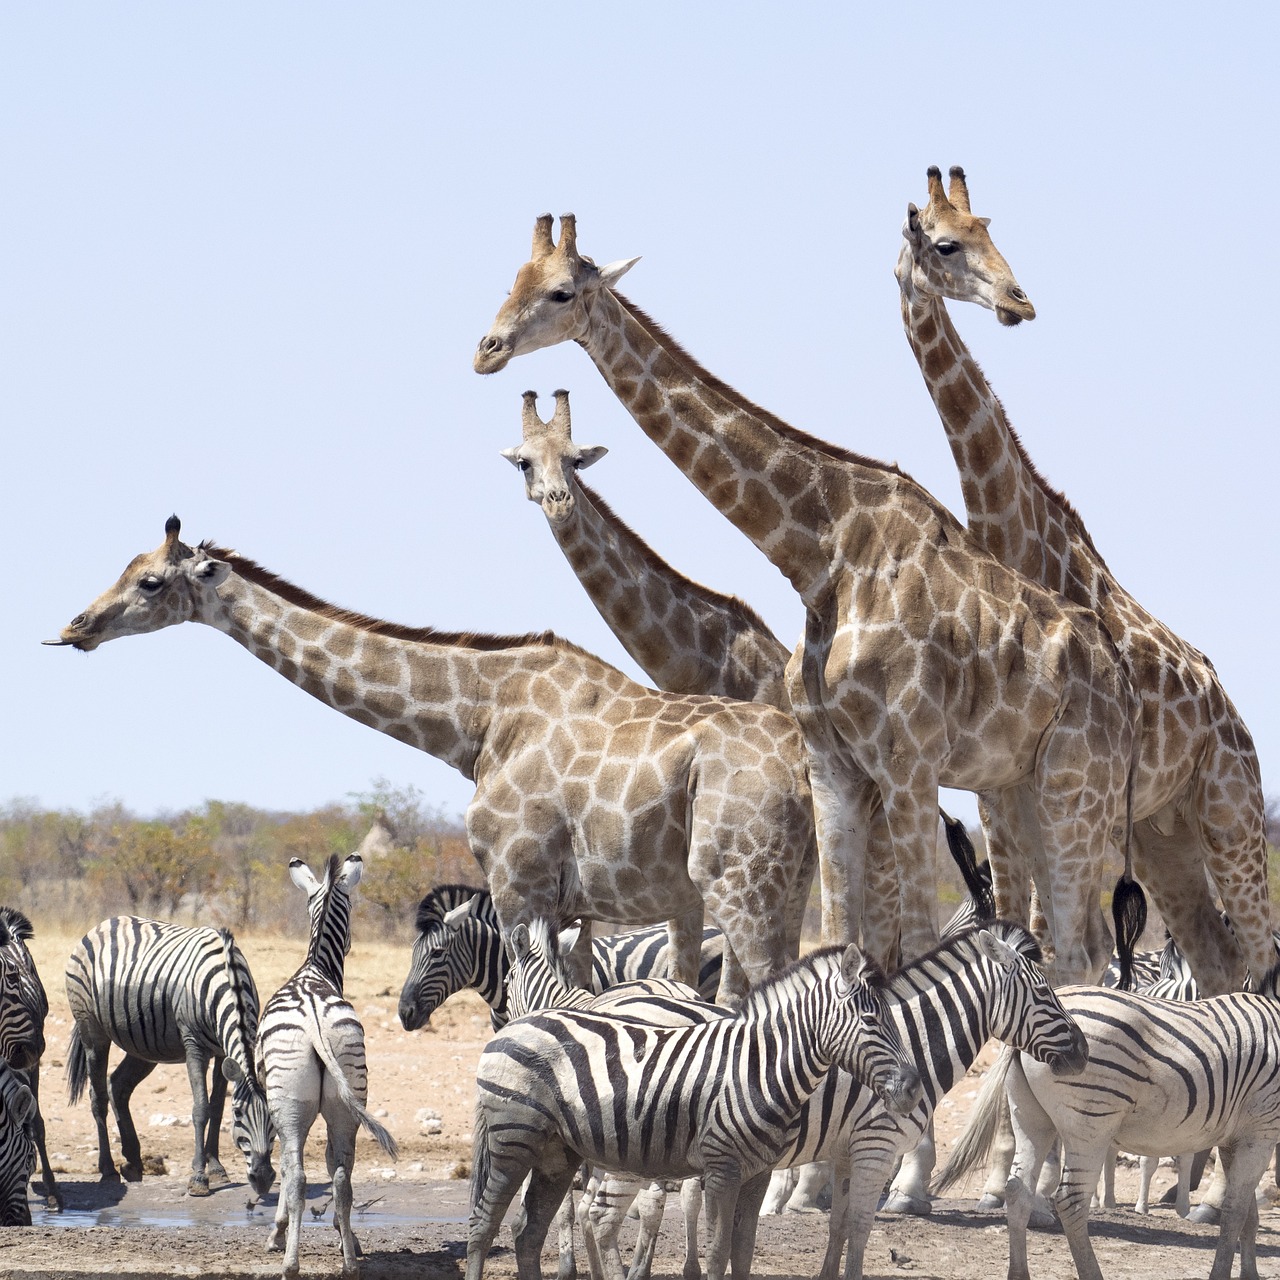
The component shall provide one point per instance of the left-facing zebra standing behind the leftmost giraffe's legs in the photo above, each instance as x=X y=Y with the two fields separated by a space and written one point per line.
x=459 y=948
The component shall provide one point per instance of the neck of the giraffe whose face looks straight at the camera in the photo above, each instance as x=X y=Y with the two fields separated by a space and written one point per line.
x=685 y=637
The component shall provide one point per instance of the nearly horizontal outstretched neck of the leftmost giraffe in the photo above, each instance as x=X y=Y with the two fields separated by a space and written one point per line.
x=431 y=692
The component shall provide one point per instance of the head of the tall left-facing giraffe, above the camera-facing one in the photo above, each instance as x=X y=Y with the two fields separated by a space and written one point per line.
x=551 y=300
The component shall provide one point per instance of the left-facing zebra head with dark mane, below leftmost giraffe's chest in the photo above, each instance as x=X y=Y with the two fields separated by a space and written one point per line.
x=452 y=950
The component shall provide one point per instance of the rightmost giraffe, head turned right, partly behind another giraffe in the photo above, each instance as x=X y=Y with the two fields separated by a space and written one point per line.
x=1199 y=797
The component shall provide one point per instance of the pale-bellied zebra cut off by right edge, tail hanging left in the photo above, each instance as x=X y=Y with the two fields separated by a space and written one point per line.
x=1163 y=1078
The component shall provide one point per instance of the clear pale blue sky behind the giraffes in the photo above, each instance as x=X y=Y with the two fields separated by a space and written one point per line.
x=248 y=253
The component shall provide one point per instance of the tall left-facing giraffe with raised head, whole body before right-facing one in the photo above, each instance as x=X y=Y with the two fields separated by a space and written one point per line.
x=927 y=660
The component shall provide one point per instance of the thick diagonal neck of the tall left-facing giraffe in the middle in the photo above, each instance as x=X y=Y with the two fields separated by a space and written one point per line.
x=781 y=488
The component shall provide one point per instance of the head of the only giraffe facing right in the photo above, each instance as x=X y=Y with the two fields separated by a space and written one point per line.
x=949 y=253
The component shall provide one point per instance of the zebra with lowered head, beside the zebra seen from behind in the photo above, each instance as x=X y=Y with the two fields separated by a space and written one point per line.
x=167 y=994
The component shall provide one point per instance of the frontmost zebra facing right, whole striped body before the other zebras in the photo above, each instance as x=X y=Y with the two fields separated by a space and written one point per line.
x=717 y=1099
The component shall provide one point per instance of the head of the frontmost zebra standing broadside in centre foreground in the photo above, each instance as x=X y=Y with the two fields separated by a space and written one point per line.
x=861 y=1035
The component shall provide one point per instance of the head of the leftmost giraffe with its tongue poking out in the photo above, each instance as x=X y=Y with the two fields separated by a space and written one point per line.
x=159 y=589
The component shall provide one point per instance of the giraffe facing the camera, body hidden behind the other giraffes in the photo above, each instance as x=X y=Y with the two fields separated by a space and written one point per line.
x=685 y=637
